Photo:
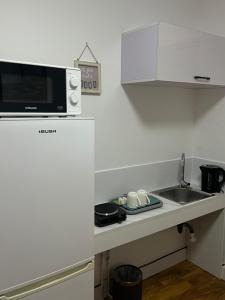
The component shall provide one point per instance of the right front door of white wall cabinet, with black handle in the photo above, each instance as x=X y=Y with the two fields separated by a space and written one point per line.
x=211 y=60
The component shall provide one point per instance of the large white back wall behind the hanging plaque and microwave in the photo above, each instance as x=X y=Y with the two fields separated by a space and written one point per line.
x=136 y=125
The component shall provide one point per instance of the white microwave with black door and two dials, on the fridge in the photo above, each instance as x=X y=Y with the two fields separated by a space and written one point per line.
x=28 y=89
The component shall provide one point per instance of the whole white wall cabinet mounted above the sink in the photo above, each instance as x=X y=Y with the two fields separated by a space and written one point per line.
x=165 y=54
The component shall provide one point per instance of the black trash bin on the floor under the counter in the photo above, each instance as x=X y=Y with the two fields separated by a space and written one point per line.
x=127 y=283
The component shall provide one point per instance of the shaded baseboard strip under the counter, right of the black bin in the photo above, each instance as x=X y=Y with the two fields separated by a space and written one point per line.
x=164 y=263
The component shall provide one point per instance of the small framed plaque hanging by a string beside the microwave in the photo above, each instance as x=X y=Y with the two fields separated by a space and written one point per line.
x=90 y=74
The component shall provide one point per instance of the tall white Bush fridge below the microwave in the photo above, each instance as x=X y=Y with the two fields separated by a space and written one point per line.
x=47 y=209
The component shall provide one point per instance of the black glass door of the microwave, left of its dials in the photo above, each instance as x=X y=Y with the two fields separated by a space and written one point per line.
x=29 y=88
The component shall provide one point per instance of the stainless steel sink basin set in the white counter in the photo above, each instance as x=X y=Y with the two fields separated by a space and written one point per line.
x=182 y=195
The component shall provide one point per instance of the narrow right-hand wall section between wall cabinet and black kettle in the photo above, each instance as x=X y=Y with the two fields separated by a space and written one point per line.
x=210 y=125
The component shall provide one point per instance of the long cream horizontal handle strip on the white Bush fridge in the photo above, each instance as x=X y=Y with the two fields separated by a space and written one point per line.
x=47 y=283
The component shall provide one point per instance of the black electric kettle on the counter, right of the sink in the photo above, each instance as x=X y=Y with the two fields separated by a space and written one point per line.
x=213 y=178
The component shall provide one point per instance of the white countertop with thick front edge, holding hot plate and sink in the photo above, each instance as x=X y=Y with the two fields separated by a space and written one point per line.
x=146 y=223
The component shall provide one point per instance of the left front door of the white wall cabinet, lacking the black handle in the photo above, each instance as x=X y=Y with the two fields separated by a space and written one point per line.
x=177 y=53
